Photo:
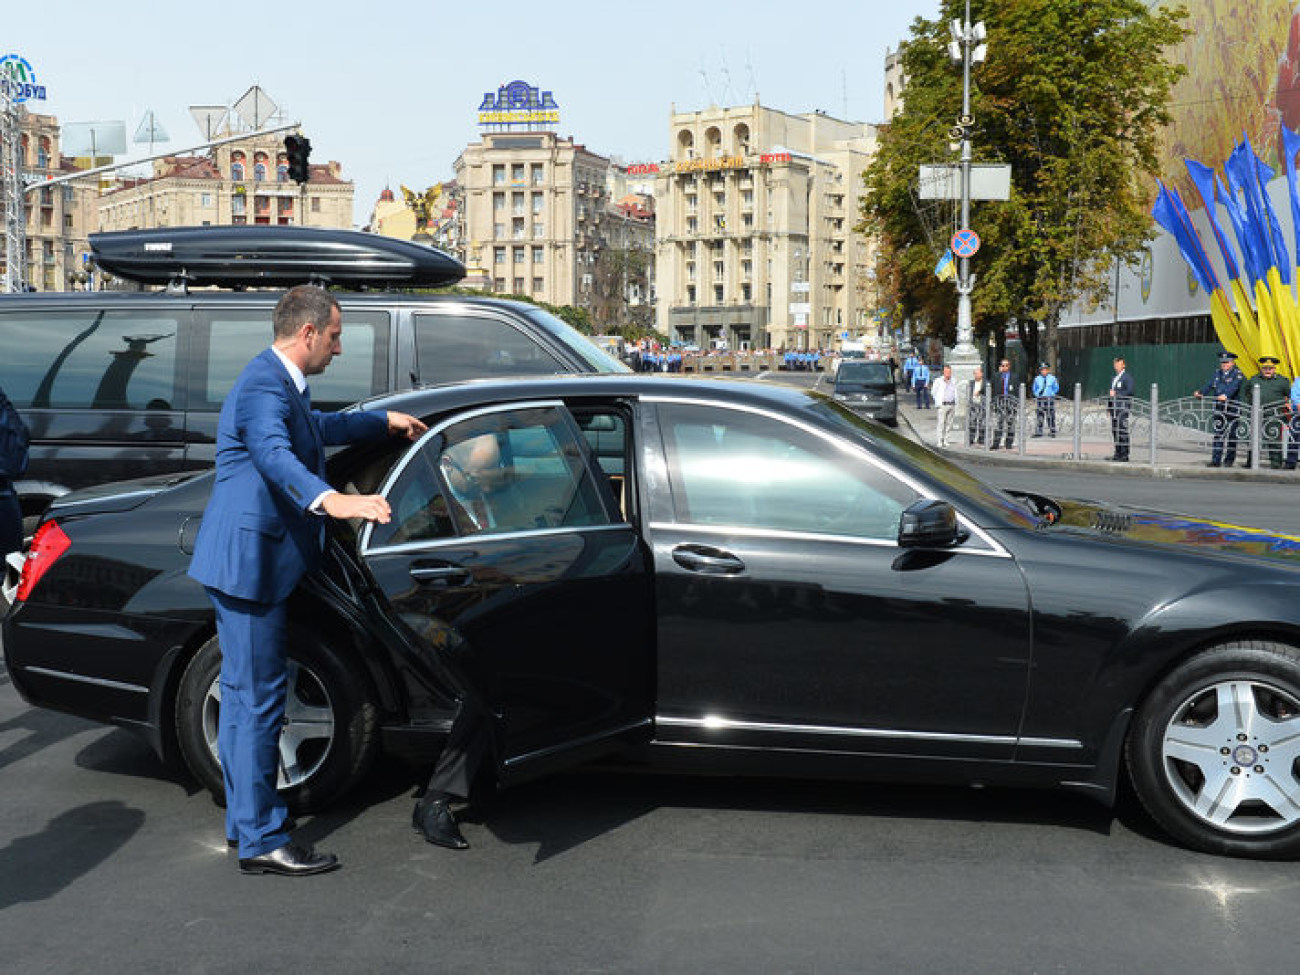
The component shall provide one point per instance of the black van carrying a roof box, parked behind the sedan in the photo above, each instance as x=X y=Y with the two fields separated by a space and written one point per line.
x=120 y=385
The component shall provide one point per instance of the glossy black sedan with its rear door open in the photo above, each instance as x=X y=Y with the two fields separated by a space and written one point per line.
x=710 y=575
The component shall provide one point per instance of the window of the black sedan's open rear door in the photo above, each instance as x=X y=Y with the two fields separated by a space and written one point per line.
x=495 y=474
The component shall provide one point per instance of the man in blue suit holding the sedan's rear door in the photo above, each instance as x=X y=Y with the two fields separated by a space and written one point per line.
x=263 y=531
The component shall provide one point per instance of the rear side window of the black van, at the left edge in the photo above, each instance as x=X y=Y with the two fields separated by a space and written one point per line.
x=90 y=359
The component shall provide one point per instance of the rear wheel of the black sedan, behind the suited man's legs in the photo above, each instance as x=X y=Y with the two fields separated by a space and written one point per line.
x=331 y=730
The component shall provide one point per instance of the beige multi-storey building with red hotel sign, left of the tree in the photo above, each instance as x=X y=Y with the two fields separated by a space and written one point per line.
x=755 y=231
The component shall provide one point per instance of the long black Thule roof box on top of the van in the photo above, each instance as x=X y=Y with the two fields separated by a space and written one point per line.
x=272 y=257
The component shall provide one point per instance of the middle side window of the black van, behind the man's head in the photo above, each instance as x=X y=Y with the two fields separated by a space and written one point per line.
x=229 y=339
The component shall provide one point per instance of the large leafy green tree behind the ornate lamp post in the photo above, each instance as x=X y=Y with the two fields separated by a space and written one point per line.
x=1074 y=96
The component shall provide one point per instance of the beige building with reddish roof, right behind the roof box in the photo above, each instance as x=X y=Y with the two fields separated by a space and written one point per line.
x=241 y=183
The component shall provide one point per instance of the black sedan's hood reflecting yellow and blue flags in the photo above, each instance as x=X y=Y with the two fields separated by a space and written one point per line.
x=1168 y=530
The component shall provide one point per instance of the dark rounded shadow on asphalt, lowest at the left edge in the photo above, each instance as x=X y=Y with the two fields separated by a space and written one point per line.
x=38 y=866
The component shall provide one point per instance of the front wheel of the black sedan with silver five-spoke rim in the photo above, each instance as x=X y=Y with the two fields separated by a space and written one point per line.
x=1215 y=751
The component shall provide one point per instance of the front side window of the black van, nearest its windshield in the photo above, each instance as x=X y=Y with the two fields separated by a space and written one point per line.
x=452 y=348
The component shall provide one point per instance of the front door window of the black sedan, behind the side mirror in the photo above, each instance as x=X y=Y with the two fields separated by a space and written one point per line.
x=742 y=470
